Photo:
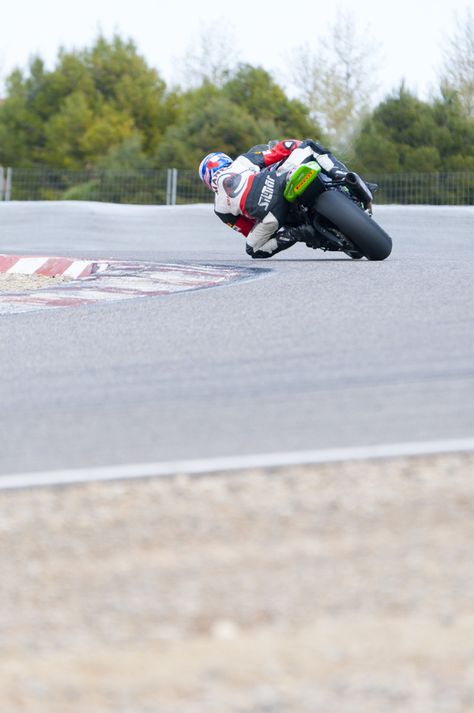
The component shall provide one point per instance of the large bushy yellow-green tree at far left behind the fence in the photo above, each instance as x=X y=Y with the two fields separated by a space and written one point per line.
x=90 y=102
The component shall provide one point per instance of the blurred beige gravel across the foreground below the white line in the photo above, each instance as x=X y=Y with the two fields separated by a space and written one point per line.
x=339 y=588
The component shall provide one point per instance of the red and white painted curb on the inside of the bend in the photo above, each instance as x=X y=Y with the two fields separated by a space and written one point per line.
x=111 y=280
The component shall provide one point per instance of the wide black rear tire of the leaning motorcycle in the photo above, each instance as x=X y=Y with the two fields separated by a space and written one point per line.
x=355 y=224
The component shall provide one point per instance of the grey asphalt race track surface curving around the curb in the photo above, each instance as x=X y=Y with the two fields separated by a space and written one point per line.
x=317 y=353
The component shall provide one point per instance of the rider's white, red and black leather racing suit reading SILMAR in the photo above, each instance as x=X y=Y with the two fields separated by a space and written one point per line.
x=249 y=196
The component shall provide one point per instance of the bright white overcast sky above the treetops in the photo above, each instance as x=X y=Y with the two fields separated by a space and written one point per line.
x=411 y=32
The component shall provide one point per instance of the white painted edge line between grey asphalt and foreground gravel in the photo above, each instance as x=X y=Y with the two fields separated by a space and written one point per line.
x=214 y=465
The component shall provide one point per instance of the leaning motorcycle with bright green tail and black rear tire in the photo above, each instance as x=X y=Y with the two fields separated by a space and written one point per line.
x=339 y=211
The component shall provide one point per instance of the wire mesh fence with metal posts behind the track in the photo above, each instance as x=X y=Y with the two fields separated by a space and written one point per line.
x=173 y=187
